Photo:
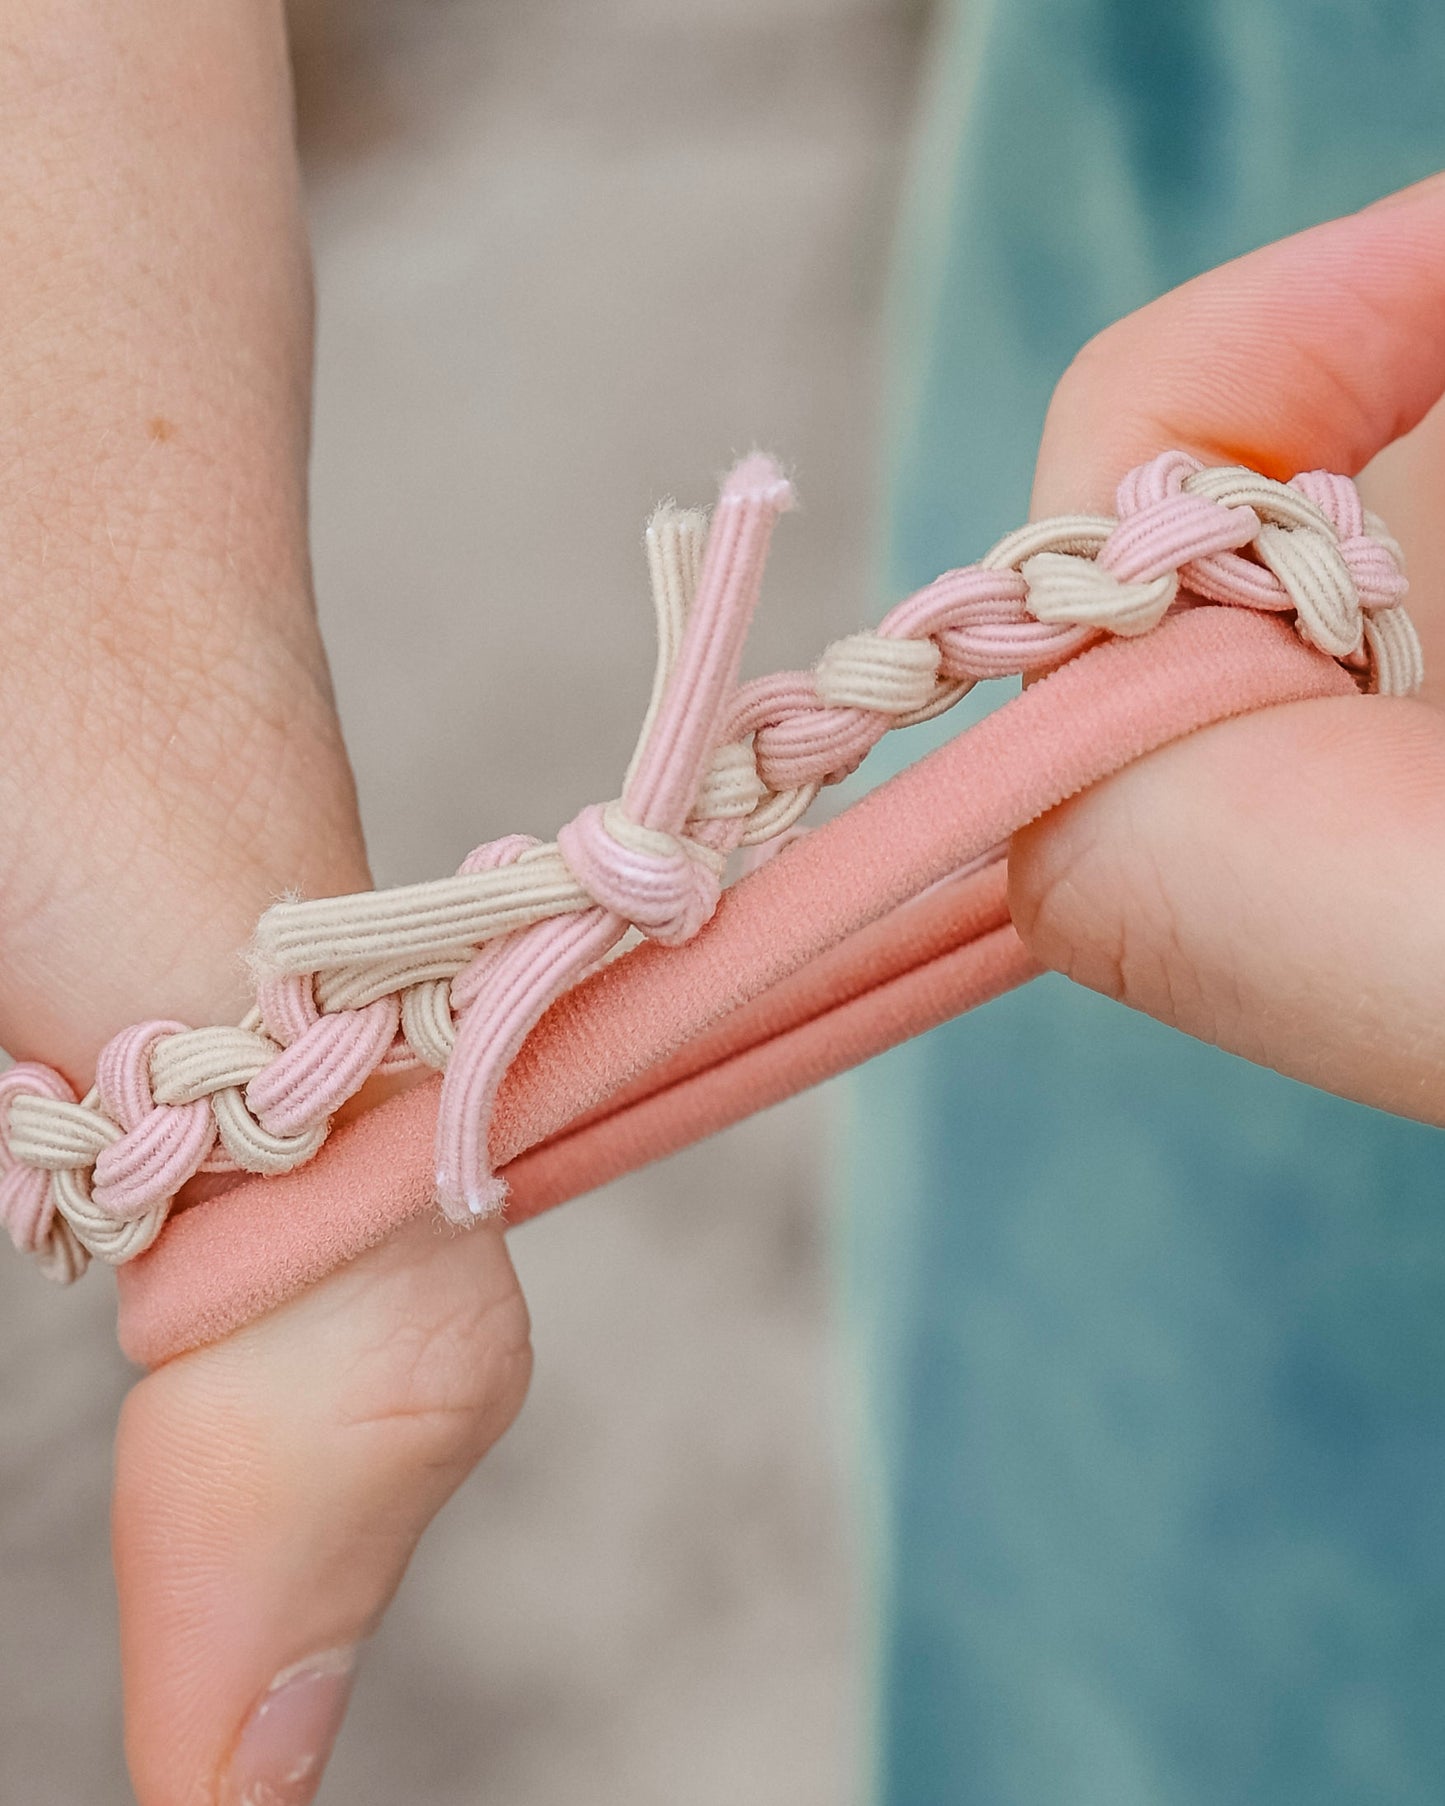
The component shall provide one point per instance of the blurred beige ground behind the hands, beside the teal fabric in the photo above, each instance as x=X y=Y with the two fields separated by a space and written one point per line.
x=572 y=257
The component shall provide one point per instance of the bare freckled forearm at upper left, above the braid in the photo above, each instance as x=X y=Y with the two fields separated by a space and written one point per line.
x=169 y=754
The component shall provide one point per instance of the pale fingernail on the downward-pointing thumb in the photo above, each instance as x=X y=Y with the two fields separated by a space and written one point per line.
x=286 y=1742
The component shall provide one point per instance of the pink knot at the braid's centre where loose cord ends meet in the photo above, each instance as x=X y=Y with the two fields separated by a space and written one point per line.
x=664 y=884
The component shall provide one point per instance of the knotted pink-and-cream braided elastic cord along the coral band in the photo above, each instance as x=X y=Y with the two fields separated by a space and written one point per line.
x=456 y=973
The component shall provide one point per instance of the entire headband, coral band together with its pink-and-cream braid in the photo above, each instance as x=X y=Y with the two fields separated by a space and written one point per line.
x=817 y=960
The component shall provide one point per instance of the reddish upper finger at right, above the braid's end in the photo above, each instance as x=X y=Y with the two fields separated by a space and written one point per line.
x=1319 y=349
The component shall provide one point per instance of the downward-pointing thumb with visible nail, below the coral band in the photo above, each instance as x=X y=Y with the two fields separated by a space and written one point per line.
x=268 y=1498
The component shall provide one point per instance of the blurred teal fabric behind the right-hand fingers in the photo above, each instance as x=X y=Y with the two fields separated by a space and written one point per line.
x=1153 y=1343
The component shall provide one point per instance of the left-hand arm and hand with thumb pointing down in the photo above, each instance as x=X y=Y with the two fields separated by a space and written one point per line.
x=169 y=765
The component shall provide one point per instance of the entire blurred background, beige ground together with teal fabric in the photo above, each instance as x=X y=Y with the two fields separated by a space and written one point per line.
x=946 y=1448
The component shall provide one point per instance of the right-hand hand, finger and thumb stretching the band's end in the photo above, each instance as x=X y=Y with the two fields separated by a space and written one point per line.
x=1273 y=884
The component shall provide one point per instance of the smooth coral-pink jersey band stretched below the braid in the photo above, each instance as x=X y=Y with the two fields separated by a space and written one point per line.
x=850 y=942
